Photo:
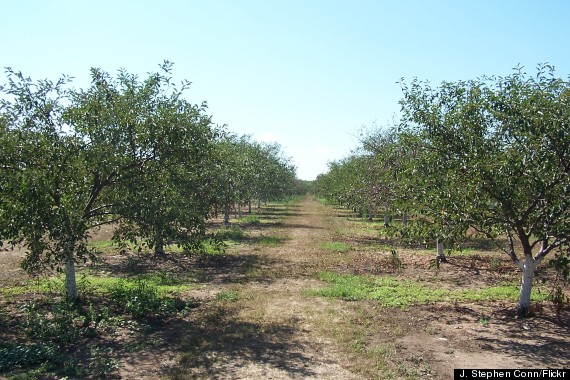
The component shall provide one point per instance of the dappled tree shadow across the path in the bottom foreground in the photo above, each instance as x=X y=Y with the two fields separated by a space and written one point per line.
x=218 y=337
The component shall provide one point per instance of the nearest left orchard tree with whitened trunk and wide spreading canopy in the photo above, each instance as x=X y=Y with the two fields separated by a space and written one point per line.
x=72 y=157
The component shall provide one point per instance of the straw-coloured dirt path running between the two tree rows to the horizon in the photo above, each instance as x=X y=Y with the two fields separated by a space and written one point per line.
x=274 y=330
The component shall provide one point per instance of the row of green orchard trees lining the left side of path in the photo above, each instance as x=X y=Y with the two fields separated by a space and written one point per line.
x=124 y=151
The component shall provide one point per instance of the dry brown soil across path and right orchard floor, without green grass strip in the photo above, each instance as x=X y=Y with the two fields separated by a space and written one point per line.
x=273 y=328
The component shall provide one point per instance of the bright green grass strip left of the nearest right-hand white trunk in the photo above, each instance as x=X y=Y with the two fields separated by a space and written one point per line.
x=394 y=292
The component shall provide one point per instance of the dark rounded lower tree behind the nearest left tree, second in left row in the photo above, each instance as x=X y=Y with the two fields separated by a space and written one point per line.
x=168 y=206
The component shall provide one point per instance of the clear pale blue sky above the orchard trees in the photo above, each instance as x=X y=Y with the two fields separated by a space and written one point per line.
x=308 y=74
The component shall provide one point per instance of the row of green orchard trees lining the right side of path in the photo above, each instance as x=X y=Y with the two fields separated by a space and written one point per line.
x=489 y=156
